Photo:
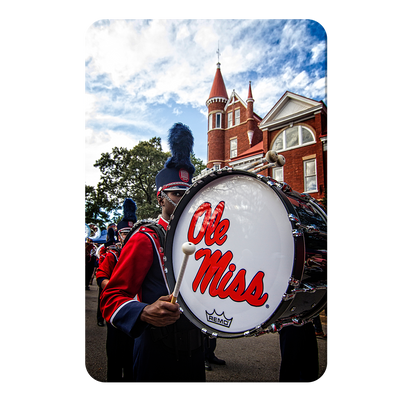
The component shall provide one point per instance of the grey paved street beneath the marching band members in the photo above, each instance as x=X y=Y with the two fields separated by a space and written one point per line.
x=254 y=360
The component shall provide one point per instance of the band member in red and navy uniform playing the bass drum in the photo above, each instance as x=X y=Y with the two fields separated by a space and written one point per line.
x=168 y=347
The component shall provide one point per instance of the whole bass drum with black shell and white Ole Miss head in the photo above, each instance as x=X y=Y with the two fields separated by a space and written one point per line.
x=261 y=254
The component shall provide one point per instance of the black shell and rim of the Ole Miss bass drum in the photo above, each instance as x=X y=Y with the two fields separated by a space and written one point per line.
x=307 y=246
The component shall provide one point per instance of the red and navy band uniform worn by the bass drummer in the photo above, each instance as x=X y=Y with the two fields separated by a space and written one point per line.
x=170 y=354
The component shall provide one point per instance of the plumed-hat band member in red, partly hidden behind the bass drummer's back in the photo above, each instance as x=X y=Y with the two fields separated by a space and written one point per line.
x=119 y=346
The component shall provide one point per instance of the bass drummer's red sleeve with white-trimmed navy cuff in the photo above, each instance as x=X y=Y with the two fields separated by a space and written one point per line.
x=117 y=299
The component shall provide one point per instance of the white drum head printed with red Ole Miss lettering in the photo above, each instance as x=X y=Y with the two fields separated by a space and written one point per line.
x=235 y=280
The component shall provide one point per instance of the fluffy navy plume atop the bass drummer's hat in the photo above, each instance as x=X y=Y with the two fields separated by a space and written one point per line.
x=180 y=141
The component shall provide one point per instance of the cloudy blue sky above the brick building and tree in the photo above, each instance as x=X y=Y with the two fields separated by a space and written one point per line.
x=140 y=75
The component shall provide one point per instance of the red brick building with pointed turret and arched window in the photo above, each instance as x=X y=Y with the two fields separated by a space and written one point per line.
x=296 y=127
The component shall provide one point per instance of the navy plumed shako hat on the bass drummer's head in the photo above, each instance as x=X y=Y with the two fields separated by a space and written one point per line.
x=178 y=170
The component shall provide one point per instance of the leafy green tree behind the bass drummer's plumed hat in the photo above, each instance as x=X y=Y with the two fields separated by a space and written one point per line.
x=132 y=173
